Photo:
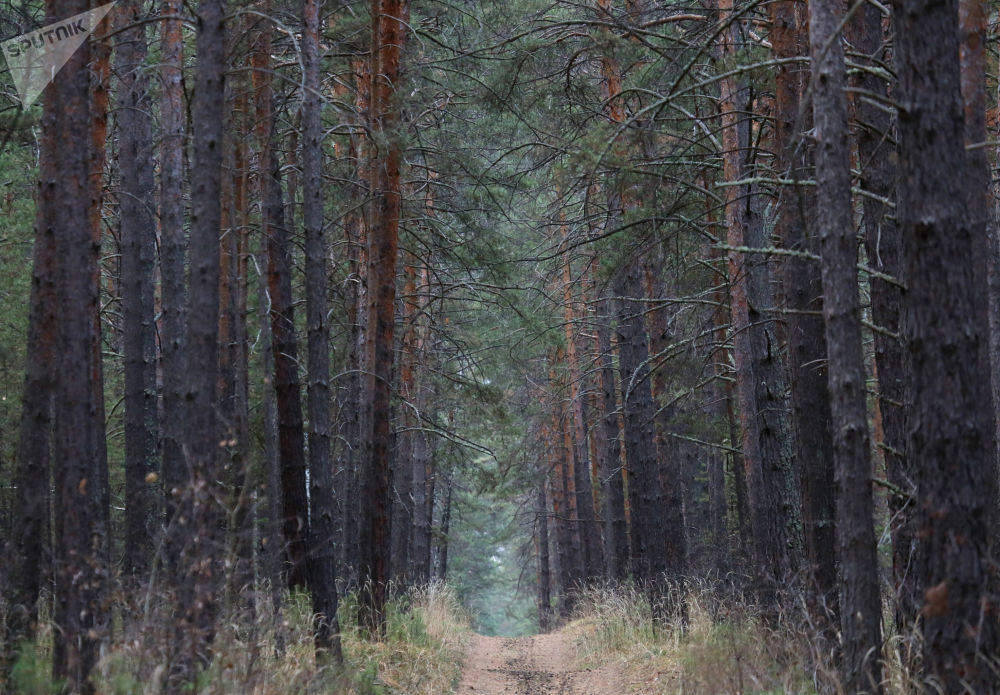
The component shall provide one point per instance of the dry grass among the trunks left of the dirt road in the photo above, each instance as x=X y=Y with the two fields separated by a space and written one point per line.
x=421 y=655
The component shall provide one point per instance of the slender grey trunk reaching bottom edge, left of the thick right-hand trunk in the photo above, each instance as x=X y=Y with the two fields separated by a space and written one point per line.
x=860 y=618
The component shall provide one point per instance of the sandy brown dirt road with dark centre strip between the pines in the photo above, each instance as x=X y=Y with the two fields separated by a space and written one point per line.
x=536 y=665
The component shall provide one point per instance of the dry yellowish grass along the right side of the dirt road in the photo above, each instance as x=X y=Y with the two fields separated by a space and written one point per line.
x=725 y=648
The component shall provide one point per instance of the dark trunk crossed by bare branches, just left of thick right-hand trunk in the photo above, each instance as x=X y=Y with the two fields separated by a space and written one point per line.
x=876 y=144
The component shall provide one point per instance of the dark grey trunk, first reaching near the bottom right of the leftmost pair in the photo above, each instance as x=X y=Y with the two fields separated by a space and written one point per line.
x=201 y=522
